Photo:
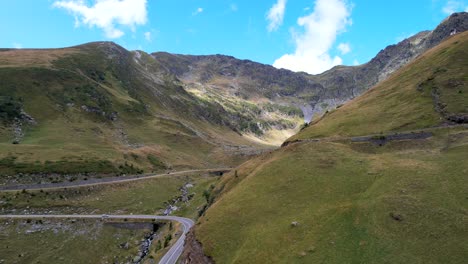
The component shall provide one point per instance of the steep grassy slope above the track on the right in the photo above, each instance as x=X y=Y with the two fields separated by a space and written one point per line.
x=397 y=104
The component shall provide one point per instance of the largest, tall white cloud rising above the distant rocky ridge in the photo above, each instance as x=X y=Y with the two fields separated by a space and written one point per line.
x=329 y=18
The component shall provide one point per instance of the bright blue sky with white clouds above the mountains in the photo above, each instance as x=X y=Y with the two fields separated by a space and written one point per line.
x=307 y=35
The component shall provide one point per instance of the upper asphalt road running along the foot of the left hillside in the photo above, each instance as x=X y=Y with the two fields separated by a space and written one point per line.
x=110 y=180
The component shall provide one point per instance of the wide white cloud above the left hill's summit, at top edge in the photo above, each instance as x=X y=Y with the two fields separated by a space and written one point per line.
x=107 y=14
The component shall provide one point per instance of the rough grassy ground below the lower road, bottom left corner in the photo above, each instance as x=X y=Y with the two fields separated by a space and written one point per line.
x=60 y=241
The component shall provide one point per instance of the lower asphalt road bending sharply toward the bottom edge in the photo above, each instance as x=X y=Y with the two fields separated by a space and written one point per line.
x=171 y=256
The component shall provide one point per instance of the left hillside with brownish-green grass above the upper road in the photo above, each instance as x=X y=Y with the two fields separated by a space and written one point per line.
x=99 y=108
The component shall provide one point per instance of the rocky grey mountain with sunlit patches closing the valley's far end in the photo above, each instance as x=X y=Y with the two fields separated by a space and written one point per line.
x=260 y=91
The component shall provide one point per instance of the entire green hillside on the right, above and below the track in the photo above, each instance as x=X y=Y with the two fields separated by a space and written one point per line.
x=341 y=200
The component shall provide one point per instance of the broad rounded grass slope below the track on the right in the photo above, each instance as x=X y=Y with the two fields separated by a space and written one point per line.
x=354 y=203
